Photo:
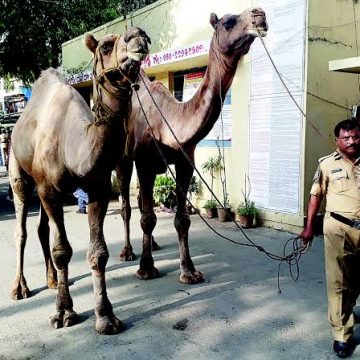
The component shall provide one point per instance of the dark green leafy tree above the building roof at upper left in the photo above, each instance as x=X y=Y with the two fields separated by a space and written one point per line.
x=32 y=31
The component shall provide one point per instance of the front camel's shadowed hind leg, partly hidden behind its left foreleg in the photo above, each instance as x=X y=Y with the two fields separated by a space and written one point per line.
x=43 y=233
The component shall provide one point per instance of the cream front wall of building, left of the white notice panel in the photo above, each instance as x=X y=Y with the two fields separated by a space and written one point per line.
x=178 y=23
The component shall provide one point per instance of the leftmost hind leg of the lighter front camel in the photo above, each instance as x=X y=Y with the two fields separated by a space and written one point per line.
x=22 y=186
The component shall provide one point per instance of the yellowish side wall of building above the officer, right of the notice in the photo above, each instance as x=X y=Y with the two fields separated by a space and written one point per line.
x=333 y=33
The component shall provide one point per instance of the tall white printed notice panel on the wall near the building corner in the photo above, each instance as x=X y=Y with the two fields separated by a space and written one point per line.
x=275 y=121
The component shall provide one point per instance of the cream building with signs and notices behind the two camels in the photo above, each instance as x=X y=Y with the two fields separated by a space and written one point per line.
x=264 y=133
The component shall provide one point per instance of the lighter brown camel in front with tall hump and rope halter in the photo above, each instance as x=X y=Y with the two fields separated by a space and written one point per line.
x=57 y=145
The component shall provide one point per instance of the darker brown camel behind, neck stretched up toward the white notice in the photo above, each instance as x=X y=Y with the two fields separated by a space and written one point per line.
x=191 y=121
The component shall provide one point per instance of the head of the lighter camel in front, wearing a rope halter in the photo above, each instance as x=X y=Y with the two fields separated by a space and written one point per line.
x=118 y=58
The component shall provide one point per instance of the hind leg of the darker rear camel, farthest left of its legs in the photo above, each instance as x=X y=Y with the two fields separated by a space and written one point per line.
x=124 y=172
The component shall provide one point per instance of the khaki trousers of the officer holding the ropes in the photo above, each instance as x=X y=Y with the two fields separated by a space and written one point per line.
x=342 y=265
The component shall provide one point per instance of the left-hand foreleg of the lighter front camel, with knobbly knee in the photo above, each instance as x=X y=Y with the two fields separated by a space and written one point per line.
x=61 y=254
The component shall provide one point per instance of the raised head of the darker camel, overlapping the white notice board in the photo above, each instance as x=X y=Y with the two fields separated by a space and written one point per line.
x=234 y=34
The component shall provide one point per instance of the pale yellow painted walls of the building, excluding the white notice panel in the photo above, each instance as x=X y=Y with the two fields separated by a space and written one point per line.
x=330 y=33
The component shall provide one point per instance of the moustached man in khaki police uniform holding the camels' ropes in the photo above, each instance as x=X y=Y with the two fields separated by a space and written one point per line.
x=337 y=178
